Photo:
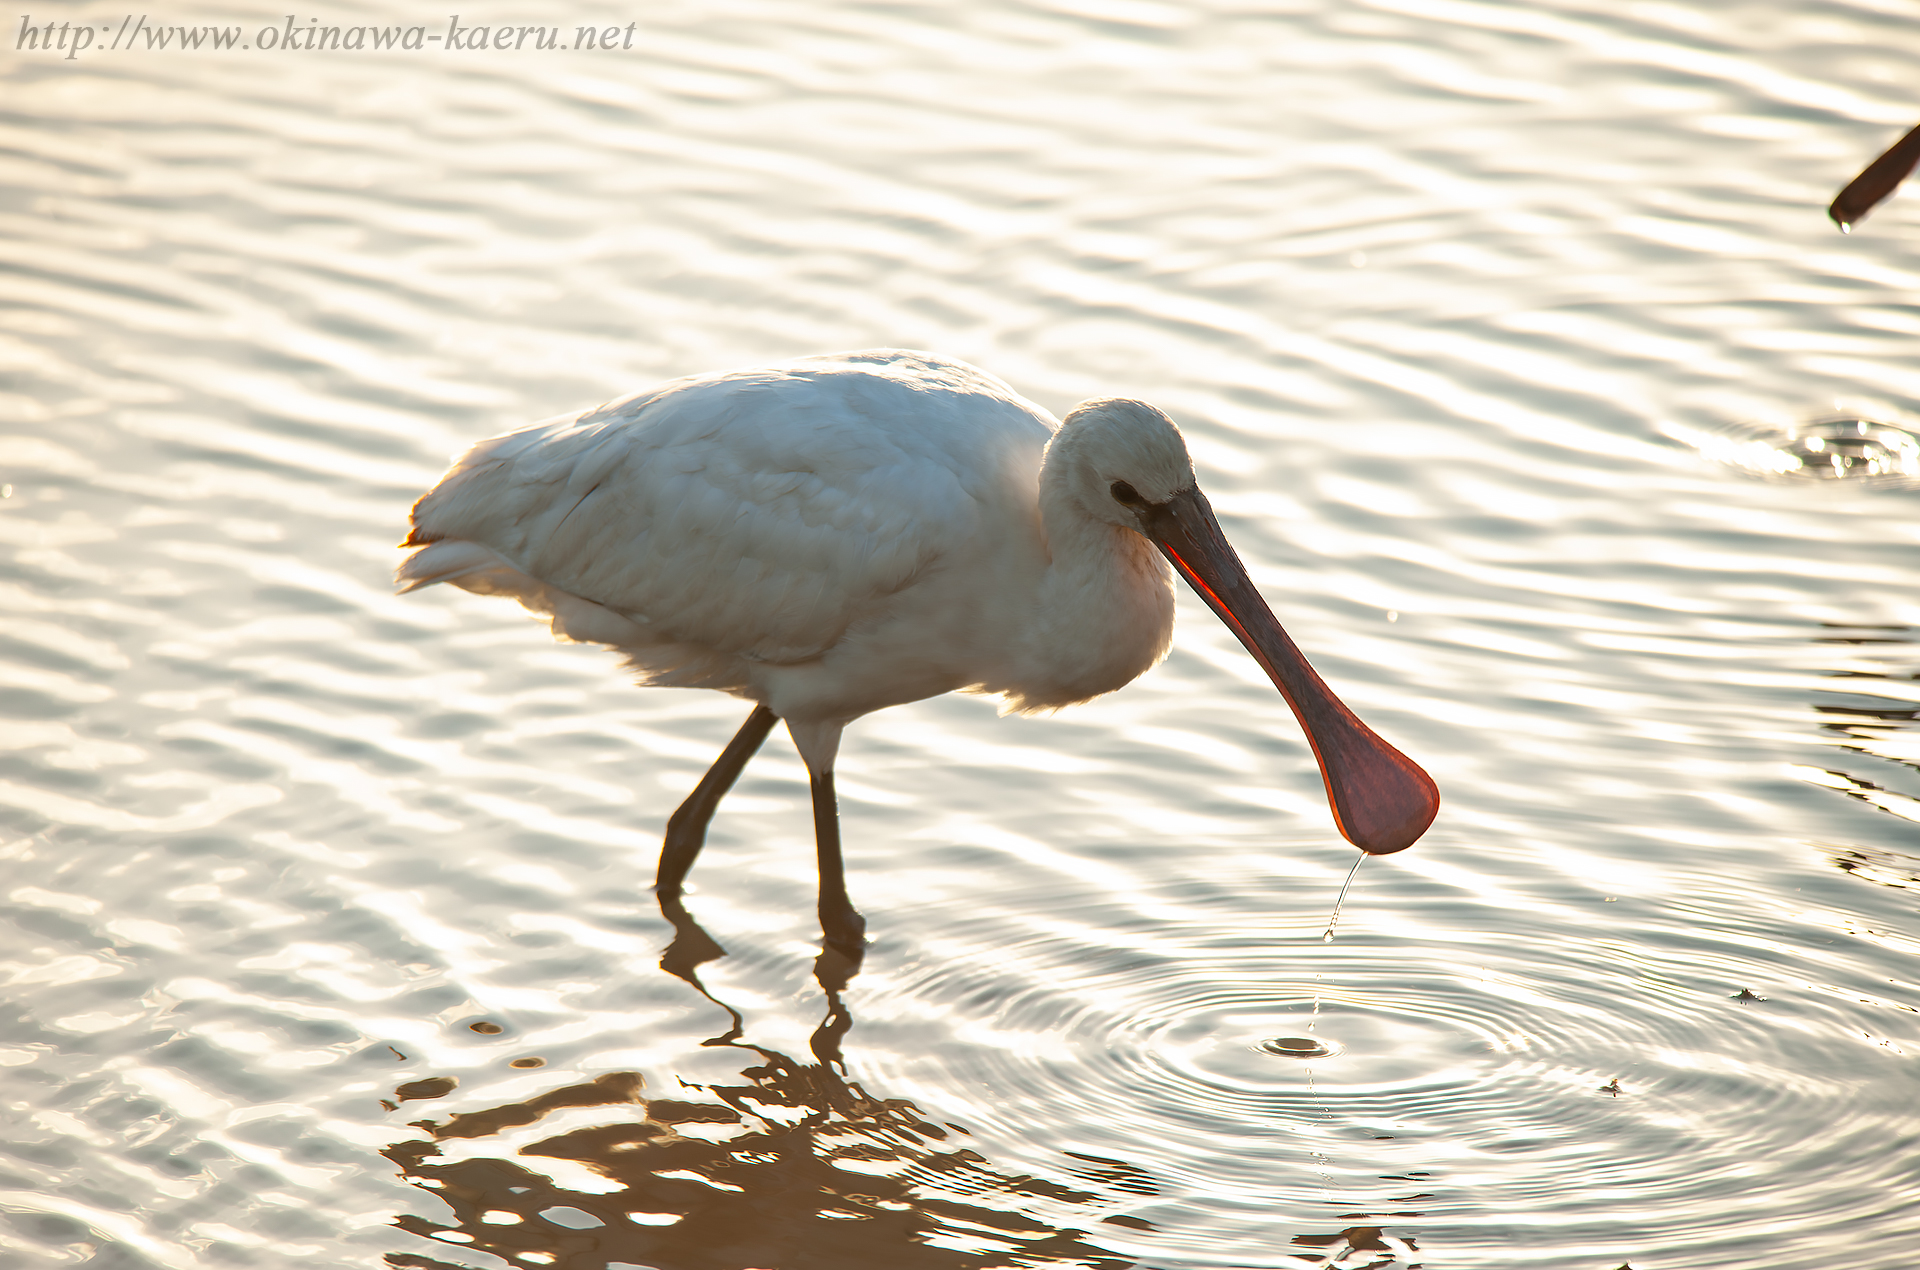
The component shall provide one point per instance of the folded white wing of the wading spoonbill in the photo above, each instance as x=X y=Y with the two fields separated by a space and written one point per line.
x=754 y=514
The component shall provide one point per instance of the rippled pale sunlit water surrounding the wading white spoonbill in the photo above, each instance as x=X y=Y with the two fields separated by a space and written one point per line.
x=329 y=937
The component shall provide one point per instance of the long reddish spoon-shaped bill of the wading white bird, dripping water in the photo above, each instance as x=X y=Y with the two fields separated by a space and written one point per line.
x=1381 y=798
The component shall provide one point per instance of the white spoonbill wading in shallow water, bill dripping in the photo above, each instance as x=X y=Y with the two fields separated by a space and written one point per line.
x=836 y=535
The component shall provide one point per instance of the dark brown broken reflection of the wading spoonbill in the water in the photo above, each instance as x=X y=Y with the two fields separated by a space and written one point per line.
x=792 y=1169
